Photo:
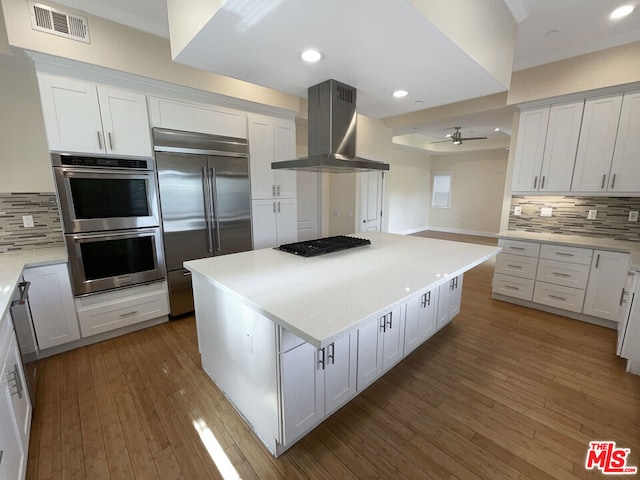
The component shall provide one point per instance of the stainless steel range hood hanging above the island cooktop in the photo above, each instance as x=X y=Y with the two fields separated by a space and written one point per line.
x=332 y=133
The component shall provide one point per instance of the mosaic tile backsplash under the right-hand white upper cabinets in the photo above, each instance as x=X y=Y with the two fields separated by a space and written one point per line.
x=569 y=216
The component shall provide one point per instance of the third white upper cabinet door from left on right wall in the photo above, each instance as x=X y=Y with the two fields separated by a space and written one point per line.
x=597 y=142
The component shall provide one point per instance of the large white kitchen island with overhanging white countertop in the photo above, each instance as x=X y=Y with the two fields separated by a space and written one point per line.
x=289 y=339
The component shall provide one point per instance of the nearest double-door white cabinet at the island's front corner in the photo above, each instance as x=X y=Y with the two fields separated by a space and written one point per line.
x=315 y=383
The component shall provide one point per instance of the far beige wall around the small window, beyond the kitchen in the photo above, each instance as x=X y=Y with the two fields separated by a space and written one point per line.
x=477 y=186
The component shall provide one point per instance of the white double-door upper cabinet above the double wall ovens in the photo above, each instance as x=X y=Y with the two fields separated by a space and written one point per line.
x=84 y=117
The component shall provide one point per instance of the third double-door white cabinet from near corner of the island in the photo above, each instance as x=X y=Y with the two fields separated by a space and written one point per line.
x=420 y=319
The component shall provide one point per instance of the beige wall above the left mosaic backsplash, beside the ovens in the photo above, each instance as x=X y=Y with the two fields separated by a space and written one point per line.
x=24 y=154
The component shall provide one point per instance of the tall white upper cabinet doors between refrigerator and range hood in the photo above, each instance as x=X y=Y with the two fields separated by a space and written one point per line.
x=271 y=139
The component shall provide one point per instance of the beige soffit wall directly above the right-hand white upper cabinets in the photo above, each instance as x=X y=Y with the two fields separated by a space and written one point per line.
x=603 y=69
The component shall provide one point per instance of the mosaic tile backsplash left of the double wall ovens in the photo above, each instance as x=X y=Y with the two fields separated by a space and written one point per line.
x=47 y=230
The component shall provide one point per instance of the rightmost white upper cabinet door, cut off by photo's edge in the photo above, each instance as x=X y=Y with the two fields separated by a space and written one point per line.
x=625 y=169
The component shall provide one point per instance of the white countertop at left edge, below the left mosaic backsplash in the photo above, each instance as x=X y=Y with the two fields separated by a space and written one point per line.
x=12 y=264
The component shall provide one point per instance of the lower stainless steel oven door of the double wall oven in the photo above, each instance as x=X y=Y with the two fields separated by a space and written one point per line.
x=107 y=260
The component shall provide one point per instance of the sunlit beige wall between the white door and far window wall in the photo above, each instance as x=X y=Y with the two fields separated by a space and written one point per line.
x=408 y=188
